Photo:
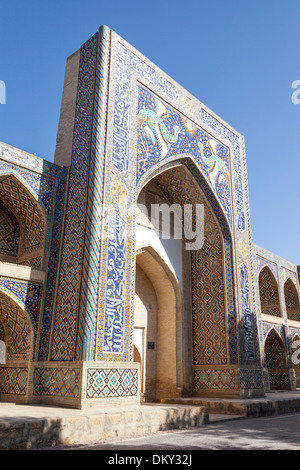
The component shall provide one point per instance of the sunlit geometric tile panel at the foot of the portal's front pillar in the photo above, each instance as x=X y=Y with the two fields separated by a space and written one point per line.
x=105 y=383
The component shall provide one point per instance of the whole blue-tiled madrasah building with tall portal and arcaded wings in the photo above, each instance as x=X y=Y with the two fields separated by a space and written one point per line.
x=97 y=303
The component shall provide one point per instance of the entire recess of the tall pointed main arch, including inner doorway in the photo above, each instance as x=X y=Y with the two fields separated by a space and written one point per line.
x=193 y=330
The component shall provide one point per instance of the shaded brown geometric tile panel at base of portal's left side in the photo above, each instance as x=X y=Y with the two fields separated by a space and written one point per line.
x=56 y=382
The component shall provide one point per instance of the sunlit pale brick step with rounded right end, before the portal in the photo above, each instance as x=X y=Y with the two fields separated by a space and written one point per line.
x=43 y=427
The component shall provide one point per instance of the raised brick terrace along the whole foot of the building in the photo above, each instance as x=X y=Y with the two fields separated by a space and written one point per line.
x=35 y=426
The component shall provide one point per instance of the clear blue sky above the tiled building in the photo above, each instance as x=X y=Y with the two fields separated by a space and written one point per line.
x=239 y=57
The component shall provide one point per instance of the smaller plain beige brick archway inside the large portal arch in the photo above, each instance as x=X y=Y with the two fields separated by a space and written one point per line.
x=157 y=308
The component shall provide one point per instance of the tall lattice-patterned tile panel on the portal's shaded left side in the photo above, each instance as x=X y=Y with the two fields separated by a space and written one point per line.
x=64 y=333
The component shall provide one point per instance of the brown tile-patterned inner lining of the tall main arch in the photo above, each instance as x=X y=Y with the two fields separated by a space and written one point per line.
x=203 y=276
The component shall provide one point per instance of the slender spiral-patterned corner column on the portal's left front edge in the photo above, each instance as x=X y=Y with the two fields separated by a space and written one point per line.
x=91 y=258
